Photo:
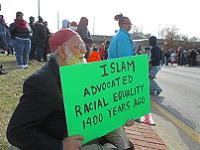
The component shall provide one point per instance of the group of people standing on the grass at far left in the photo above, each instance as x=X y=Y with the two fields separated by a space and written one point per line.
x=28 y=41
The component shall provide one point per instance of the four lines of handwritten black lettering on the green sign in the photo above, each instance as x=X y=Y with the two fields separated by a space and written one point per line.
x=109 y=103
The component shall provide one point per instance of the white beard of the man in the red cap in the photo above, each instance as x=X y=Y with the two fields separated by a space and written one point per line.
x=72 y=59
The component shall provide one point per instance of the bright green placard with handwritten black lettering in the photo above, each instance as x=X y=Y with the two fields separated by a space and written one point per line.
x=100 y=97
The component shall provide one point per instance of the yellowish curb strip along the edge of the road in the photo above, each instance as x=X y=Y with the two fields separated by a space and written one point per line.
x=195 y=136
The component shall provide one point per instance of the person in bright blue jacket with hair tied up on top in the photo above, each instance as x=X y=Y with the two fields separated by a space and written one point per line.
x=121 y=44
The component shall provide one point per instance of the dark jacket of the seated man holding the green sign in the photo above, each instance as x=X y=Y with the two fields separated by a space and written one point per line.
x=38 y=122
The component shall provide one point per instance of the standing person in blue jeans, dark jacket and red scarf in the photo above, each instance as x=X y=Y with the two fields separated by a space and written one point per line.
x=21 y=32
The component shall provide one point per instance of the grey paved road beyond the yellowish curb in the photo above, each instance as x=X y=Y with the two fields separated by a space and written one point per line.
x=181 y=93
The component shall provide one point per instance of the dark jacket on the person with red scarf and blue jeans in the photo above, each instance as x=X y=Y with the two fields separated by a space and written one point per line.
x=18 y=32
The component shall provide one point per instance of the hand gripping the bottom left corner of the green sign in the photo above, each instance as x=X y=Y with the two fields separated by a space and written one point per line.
x=72 y=143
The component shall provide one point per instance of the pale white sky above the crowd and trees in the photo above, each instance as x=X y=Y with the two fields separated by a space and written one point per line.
x=150 y=15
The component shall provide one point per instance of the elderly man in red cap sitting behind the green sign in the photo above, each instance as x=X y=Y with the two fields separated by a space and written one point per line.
x=38 y=123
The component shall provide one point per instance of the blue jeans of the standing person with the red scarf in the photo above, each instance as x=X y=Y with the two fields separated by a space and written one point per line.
x=22 y=49
